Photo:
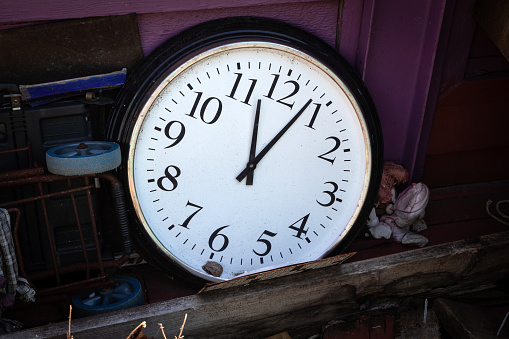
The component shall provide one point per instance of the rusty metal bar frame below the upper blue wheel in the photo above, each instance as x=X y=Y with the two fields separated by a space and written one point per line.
x=57 y=270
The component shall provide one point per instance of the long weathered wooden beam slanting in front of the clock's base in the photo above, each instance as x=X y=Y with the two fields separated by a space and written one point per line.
x=260 y=307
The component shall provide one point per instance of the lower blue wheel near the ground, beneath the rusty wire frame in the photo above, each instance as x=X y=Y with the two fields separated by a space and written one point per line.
x=126 y=292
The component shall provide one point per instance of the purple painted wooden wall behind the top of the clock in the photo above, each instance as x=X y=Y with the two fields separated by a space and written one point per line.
x=391 y=43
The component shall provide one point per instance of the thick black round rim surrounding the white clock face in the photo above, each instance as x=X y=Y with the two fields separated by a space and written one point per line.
x=151 y=71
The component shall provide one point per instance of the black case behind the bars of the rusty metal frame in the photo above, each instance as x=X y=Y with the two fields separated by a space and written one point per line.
x=26 y=134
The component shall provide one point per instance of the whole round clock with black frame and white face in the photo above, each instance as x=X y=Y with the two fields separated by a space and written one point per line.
x=248 y=144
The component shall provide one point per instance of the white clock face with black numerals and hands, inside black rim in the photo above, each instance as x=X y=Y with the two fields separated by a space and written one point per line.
x=191 y=153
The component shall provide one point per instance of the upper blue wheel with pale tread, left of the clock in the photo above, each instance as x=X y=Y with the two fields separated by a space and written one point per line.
x=83 y=158
